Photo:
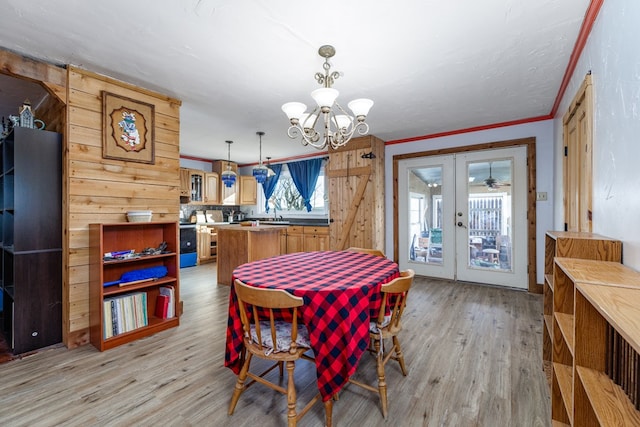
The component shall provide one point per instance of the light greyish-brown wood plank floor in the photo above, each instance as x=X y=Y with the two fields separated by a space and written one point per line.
x=473 y=354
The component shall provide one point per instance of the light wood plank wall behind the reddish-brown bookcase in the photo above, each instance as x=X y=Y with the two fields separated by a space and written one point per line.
x=103 y=190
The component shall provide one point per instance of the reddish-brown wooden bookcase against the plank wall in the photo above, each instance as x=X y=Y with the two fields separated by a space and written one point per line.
x=125 y=236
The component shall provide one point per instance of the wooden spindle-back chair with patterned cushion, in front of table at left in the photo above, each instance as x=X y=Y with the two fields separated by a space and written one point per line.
x=273 y=340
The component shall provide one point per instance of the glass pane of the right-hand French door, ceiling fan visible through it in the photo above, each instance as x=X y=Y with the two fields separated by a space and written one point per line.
x=489 y=222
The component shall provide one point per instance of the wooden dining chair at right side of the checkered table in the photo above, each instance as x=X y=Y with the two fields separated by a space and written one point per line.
x=388 y=325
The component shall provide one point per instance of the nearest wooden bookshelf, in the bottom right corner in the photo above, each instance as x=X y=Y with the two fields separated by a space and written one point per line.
x=598 y=398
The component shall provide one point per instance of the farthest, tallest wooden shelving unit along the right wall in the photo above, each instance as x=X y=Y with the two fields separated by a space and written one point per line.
x=569 y=245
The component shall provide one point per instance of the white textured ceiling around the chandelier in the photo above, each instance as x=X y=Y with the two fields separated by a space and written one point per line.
x=430 y=65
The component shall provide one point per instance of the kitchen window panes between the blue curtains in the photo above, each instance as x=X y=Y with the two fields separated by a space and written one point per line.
x=287 y=200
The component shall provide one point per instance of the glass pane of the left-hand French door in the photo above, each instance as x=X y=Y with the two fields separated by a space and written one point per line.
x=425 y=214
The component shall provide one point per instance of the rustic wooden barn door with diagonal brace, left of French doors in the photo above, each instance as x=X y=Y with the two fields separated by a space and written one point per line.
x=356 y=194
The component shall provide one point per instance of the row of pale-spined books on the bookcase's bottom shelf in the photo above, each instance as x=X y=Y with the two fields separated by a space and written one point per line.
x=125 y=313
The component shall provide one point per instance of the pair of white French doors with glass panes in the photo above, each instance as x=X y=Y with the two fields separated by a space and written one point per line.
x=463 y=216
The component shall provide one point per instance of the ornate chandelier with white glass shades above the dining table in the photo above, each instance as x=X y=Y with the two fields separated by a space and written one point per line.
x=335 y=126
